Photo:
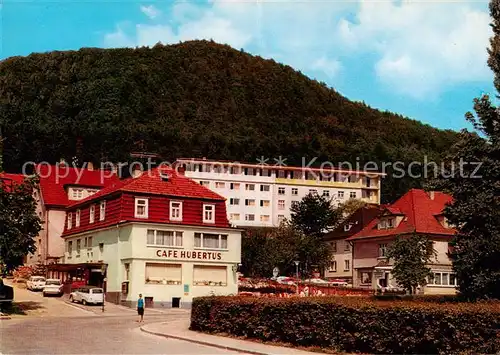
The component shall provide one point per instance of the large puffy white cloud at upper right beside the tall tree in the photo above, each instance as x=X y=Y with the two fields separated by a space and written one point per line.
x=422 y=47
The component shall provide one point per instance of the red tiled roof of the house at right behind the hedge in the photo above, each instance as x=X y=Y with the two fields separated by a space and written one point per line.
x=419 y=212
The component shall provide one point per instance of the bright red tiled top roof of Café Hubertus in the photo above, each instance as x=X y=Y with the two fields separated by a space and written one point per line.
x=151 y=183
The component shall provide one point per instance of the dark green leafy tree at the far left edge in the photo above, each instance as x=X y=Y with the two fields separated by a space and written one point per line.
x=19 y=224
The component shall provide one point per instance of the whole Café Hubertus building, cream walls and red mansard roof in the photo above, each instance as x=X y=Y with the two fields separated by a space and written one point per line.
x=158 y=233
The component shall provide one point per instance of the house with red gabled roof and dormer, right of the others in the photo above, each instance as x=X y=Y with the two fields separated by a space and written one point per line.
x=415 y=212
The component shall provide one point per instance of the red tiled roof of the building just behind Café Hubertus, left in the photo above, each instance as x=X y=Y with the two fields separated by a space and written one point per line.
x=54 y=178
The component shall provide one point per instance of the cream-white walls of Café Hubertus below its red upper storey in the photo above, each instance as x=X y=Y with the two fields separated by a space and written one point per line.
x=163 y=274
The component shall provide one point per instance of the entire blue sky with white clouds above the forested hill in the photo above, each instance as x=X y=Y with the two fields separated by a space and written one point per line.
x=425 y=60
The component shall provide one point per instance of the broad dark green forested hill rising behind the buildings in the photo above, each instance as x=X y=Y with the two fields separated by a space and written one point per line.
x=196 y=99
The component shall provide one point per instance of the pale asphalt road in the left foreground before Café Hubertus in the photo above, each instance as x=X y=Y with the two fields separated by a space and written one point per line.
x=52 y=326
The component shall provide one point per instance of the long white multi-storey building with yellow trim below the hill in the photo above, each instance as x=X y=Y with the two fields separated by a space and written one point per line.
x=262 y=195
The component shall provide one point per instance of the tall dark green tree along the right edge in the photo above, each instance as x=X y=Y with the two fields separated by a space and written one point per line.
x=475 y=187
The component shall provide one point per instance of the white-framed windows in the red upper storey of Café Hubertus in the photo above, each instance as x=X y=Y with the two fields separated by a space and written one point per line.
x=141 y=210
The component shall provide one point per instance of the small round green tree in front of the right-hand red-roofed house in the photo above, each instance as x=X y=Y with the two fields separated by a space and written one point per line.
x=411 y=255
